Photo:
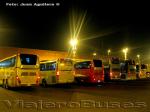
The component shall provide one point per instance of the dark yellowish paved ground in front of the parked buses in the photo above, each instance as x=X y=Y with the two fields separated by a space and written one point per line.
x=121 y=96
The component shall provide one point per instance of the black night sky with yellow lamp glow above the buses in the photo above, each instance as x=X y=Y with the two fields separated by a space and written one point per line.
x=107 y=25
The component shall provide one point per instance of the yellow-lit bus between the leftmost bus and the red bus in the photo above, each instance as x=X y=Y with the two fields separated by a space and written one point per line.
x=56 y=71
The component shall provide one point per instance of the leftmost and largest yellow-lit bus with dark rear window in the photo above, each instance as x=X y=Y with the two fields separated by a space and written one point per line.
x=19 y=70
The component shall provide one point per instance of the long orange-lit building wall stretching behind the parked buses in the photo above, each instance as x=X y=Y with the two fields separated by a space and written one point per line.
x=46 y=54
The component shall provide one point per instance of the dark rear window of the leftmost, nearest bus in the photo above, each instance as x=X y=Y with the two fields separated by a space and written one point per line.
x=28 y=59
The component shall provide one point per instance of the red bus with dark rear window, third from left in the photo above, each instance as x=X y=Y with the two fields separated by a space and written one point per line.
x=89 y=71
